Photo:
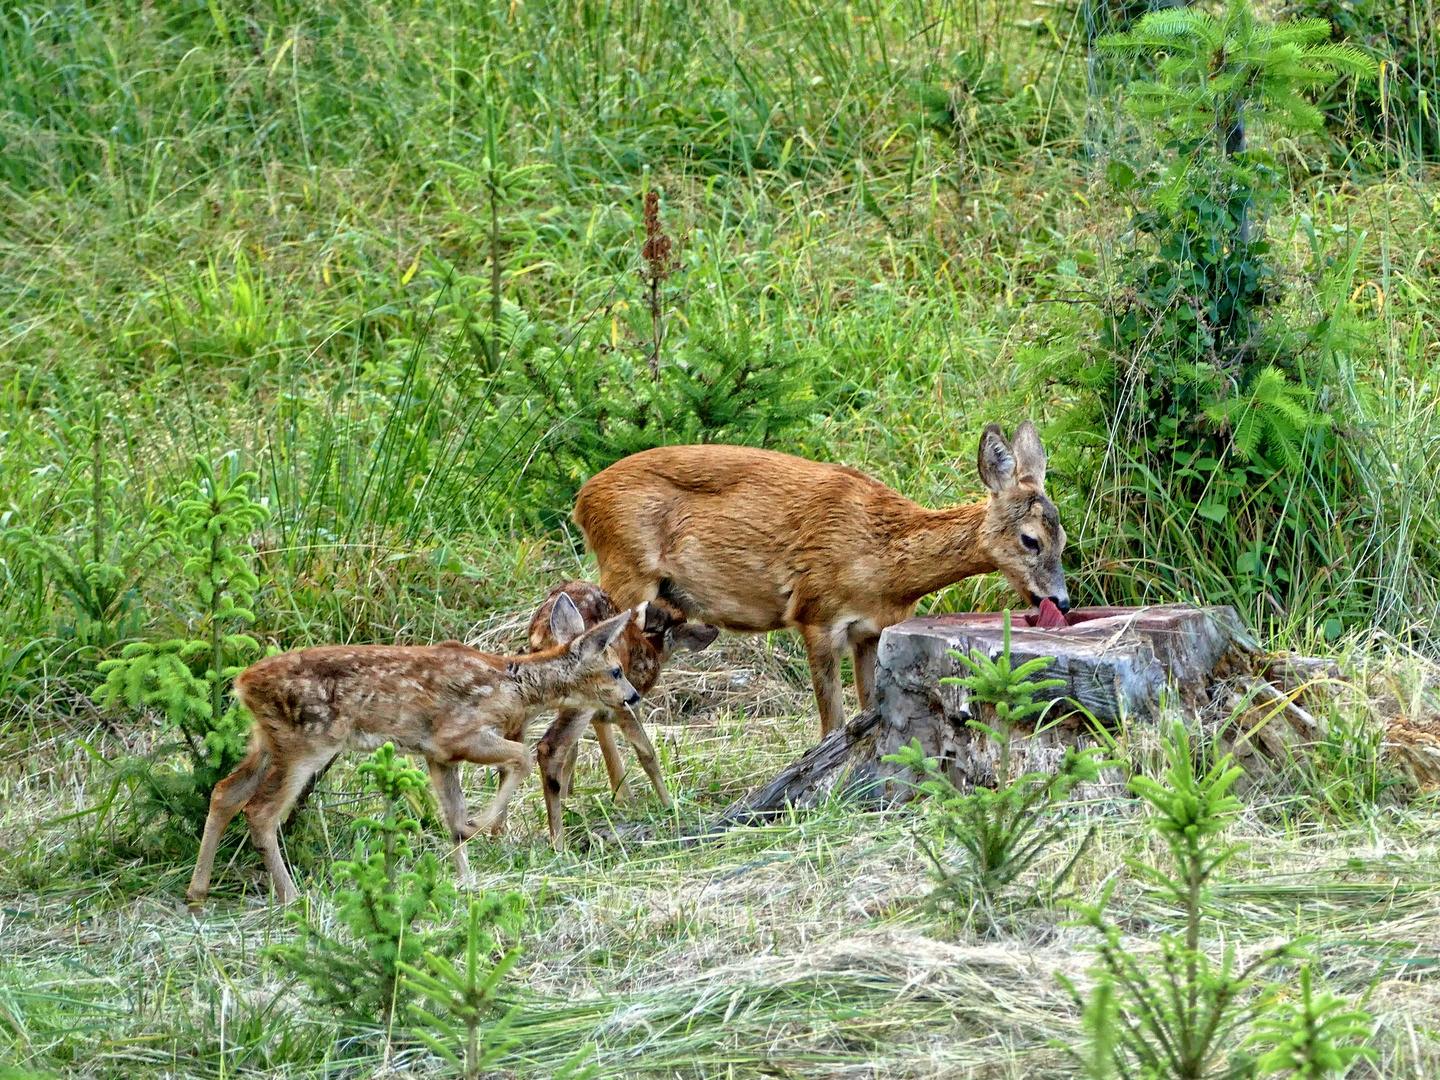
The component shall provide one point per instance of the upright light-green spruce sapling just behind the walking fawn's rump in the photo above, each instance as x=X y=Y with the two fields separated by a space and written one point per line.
x=186 y=678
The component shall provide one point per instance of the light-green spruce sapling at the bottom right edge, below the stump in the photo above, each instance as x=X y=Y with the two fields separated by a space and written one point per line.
x=1183 y=1014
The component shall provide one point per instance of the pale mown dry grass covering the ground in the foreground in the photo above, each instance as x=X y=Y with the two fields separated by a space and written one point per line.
x=798 y=948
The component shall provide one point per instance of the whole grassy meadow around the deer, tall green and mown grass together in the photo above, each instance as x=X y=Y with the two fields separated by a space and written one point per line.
x=267 y=237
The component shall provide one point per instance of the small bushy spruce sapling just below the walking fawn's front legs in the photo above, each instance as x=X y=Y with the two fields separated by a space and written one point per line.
x=392 y=905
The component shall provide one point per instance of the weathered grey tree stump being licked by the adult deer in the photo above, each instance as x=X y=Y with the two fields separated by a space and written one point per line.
x=1121 y=666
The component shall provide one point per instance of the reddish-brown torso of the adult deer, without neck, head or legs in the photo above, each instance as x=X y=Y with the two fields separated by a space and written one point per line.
x=742 y=538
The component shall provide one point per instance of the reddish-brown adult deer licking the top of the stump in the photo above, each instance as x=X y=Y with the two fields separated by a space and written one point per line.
x=755 y=541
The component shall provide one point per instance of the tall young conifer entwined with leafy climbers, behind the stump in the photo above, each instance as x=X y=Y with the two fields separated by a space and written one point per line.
x=1215 y=411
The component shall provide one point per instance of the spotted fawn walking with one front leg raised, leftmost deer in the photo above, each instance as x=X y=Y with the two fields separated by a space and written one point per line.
x=450 y=703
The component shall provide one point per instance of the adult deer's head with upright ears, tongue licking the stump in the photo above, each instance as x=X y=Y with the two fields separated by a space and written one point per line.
x=1022 y=532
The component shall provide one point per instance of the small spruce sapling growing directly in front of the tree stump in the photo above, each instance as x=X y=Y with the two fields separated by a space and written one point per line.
x=1002 y=833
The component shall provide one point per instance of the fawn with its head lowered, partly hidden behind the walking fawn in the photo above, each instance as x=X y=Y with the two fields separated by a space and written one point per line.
x=644 y=650
